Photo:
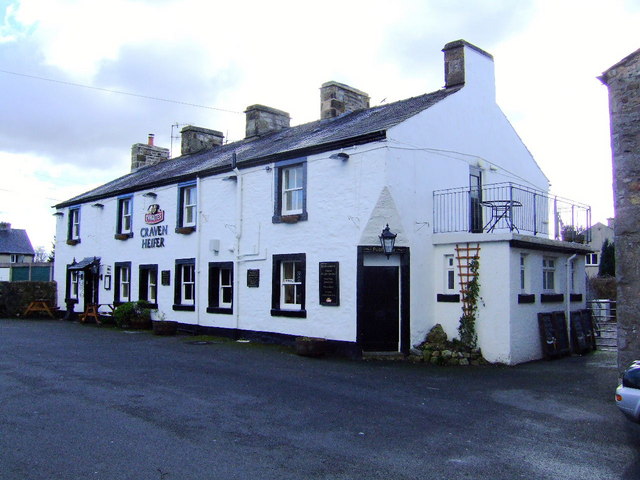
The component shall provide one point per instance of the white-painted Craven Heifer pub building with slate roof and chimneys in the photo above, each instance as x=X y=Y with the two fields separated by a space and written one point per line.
x=285 y=234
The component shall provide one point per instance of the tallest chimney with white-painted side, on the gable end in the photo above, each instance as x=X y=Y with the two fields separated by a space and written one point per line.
x=465 y=64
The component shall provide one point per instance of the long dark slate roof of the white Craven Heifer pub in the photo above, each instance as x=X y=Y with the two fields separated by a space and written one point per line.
x=361 y=126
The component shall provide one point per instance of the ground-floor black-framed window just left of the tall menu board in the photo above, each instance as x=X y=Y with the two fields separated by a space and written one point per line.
x=288 y=288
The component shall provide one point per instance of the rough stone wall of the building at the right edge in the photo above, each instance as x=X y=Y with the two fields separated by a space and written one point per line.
x=623 y=80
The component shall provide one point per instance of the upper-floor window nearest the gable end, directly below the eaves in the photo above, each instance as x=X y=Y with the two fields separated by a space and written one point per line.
x=290 y=195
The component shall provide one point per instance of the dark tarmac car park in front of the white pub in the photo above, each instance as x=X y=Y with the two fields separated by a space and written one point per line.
x=84 y=402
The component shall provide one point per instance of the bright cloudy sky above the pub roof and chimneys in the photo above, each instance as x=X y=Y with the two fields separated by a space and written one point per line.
x=59 y=138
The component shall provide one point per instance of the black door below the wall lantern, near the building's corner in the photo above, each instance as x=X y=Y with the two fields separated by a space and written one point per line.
x=378 y=316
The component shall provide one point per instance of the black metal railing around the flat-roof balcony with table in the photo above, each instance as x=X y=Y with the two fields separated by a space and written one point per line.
x=508 y=207
